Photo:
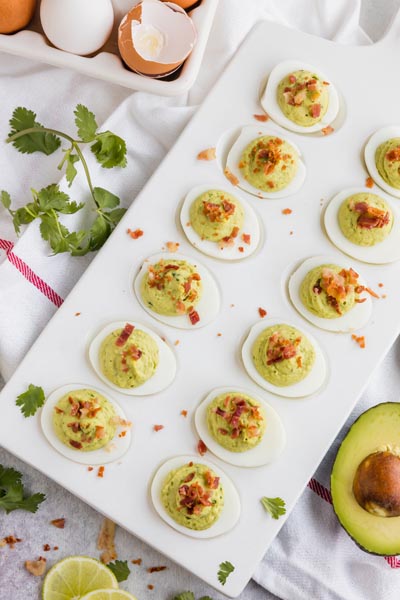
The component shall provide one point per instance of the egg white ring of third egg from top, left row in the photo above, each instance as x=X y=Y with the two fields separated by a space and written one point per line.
x=251 y=226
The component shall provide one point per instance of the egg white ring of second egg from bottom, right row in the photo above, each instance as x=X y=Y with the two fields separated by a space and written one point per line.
x=269 y=448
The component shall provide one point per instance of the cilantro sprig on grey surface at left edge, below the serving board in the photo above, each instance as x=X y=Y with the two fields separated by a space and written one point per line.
x=12 y=492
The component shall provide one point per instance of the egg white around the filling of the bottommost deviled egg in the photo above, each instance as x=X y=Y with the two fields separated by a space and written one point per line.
x=230 y=513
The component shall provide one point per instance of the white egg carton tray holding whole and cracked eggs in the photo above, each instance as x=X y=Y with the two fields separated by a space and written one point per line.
x=106 y=63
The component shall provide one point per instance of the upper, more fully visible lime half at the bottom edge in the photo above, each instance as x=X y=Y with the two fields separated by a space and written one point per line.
x=75 y=576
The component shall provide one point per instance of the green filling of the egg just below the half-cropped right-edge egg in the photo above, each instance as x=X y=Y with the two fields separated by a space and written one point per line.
x=365 y=219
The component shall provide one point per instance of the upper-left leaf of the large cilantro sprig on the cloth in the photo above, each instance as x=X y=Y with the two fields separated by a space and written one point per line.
x=44 y=142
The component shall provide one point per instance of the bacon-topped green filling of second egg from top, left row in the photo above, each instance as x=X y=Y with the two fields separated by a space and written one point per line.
x=269 y=163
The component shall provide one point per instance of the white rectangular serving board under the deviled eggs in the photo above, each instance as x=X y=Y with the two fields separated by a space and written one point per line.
x=206 y=361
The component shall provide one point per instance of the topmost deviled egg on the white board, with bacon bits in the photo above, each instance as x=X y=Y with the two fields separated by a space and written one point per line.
x=300 y=98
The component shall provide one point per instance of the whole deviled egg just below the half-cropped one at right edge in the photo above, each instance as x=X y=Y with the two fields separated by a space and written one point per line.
x=364 y=225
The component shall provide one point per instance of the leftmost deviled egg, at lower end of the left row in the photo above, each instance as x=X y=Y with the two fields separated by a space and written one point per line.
x=83 y=424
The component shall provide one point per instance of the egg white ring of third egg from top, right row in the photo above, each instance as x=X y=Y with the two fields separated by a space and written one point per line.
x=354 y=319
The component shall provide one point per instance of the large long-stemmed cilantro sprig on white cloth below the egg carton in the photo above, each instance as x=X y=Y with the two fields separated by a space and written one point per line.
x=27 y=135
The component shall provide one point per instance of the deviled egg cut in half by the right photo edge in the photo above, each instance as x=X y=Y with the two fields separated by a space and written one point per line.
x=382 y=158
